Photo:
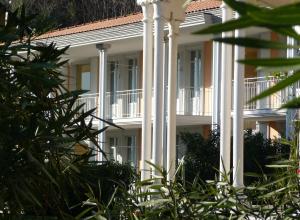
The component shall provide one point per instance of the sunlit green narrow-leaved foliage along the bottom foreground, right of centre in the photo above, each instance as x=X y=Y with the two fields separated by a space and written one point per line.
x=276 y=196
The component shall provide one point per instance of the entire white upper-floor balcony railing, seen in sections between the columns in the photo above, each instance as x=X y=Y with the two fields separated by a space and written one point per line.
x=190 y=101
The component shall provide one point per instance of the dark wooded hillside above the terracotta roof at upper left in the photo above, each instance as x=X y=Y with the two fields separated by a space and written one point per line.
x=73 y=12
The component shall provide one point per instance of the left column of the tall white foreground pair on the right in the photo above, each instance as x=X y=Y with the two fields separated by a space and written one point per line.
x=226 y=84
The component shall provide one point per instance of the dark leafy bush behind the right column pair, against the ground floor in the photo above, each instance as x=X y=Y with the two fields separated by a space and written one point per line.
x=202 y=155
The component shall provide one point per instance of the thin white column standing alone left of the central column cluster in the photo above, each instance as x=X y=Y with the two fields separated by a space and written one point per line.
x=102 y=48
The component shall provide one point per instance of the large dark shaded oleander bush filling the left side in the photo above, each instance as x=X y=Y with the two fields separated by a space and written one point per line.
x=40 y=123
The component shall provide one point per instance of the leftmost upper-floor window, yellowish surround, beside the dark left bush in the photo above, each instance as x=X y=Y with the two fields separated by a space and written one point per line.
x=83 y=78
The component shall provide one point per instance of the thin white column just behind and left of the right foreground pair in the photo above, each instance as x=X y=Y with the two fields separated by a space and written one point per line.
x=216 y=72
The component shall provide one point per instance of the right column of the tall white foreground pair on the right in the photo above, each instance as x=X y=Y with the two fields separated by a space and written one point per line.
x=238 y=110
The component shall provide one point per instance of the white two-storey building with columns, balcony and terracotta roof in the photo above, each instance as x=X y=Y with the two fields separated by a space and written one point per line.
x=128 y=81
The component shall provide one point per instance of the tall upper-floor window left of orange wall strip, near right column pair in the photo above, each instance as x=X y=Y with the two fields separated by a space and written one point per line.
x=195 y=72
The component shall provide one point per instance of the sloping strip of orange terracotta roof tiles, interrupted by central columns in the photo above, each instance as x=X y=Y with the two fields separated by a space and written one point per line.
x=133 y=18
